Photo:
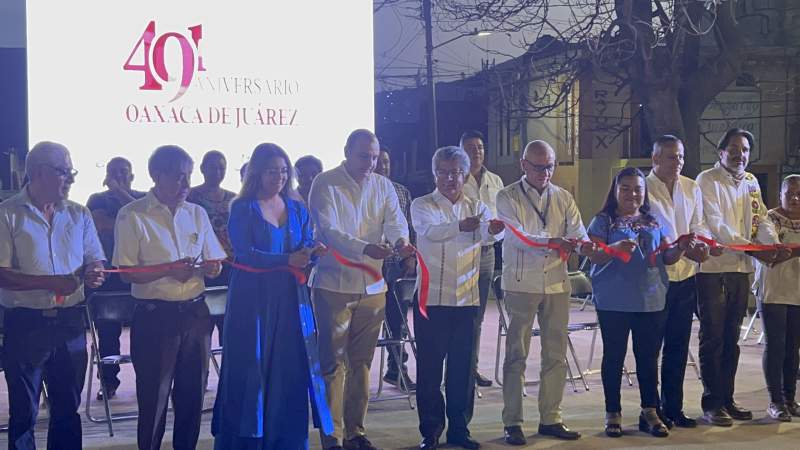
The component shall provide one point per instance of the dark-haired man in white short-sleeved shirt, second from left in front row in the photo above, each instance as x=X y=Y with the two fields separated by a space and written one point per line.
x=172 y=244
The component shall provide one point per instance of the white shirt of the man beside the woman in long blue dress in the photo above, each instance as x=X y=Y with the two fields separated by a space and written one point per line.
x=348 y=216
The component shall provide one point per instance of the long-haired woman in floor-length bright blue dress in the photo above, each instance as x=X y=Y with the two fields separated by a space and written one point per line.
x=270 y=364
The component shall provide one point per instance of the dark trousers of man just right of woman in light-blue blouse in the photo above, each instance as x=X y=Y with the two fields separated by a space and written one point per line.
x=681 y=304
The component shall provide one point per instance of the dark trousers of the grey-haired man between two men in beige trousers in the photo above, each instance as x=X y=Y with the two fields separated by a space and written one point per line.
x=448 y=333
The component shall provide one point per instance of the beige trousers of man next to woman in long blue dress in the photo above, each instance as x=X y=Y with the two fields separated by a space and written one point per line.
x=348 y=327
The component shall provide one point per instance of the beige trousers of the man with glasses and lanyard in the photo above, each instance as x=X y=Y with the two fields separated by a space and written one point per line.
x=553 y=313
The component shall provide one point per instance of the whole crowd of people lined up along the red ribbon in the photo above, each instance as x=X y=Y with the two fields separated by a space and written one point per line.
x=300 y=328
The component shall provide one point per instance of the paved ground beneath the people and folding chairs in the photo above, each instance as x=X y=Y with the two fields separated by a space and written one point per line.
x=392 y=424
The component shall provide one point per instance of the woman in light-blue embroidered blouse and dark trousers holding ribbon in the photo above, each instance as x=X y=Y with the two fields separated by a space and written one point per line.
x=630 y=297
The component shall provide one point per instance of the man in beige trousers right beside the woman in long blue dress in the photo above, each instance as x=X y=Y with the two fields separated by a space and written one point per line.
x=355 y=211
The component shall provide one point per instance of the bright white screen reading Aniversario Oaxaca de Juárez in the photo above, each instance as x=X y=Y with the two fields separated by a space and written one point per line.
x=121 y=78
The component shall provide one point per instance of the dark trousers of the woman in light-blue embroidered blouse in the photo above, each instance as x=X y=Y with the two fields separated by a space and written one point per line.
x=647 y=329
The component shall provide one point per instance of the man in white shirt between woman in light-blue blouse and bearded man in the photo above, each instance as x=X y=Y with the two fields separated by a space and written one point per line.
x=677 y=203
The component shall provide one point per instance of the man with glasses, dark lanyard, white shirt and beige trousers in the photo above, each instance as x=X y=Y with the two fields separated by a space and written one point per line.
x=536 y=284
